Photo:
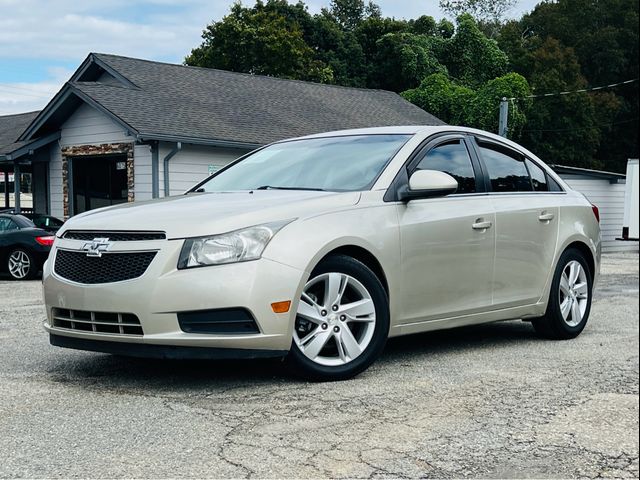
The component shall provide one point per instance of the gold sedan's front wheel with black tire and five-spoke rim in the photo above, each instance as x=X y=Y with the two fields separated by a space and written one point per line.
x=343 y=302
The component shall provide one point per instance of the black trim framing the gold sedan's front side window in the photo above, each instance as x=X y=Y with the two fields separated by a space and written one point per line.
x=402 y=176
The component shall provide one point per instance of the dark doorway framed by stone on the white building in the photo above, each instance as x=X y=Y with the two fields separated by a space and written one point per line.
x=99 y=181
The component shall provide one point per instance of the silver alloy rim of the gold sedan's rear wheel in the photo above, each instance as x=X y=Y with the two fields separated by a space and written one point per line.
x=574 y=293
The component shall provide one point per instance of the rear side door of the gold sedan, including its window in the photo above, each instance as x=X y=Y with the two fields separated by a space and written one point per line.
x=526 y=224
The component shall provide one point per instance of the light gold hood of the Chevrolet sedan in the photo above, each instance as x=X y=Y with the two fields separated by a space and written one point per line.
x=200 y=214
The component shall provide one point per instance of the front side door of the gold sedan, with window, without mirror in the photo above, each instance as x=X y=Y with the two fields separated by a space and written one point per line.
x=447 y=244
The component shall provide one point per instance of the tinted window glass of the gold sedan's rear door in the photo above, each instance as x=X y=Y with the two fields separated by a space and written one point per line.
x=506 y=169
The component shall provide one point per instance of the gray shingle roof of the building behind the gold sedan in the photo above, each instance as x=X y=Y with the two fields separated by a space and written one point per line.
x=180 y=101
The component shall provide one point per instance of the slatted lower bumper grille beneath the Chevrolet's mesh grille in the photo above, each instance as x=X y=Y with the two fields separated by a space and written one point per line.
x=97 y=322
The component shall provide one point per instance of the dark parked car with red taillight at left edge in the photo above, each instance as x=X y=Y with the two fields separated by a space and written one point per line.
x=23 y=246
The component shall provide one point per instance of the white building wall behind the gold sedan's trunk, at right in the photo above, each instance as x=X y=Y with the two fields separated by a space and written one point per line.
x=609 y=198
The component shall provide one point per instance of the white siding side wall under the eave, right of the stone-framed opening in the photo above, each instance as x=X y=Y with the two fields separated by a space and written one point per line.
x=191 y=164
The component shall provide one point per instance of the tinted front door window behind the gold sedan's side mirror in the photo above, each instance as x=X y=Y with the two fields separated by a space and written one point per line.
x=452 y=158
